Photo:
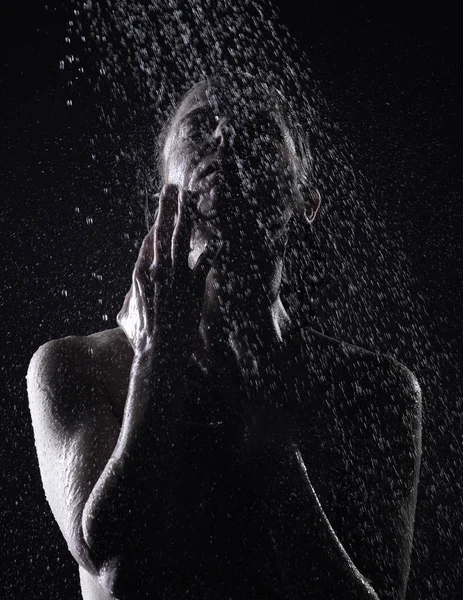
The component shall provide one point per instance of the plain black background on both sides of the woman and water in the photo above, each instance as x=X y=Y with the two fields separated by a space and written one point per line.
x=391 y=75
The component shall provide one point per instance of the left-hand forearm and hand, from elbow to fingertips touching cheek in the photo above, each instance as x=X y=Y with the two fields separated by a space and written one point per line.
x=160 y=316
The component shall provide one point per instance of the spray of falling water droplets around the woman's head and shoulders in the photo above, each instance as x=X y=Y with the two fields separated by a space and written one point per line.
x=144 y=57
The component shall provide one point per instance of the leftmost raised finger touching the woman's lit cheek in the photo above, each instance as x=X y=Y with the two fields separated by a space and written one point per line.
x=164 y=225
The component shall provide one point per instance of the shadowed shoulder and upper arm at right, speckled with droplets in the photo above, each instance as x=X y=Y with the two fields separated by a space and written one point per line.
x=360 y=437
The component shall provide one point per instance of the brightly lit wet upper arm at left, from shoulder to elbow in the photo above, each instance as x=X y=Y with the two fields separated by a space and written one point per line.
x=74 y=430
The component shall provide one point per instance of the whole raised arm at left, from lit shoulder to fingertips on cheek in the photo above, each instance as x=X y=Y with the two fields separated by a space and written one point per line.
x=107 y=481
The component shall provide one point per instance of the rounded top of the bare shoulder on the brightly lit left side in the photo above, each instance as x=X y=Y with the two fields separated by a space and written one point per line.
x=101 y=360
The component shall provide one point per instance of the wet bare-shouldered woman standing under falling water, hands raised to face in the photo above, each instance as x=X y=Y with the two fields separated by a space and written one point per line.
x=209 y=447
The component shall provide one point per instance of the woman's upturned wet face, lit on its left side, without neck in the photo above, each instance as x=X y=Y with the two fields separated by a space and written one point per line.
x=240 y=162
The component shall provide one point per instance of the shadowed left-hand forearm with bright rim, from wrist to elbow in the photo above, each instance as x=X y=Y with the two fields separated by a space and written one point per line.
x=134 y=481
